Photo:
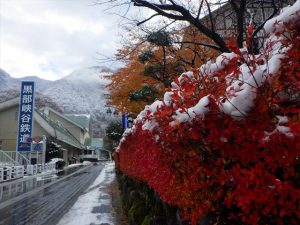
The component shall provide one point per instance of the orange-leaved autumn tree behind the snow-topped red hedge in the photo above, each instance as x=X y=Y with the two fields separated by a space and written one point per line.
x=151 y=64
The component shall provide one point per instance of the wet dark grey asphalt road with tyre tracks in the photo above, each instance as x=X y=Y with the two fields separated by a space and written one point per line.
x=46 y=205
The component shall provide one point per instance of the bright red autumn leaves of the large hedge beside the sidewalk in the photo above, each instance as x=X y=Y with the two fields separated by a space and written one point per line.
x=243 y=171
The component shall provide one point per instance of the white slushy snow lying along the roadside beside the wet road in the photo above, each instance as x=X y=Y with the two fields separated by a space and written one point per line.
x=94 y=205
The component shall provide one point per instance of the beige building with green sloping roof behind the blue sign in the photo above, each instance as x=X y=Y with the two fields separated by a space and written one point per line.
x=61 y=132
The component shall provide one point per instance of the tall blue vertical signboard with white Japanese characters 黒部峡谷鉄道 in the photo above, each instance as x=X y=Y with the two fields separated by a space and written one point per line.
x=25 y=116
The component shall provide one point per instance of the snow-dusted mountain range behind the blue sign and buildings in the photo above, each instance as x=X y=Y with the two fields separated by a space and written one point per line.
x=83 y=91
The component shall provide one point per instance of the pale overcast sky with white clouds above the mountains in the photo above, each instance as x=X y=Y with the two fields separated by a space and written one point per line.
x=52 y=38
